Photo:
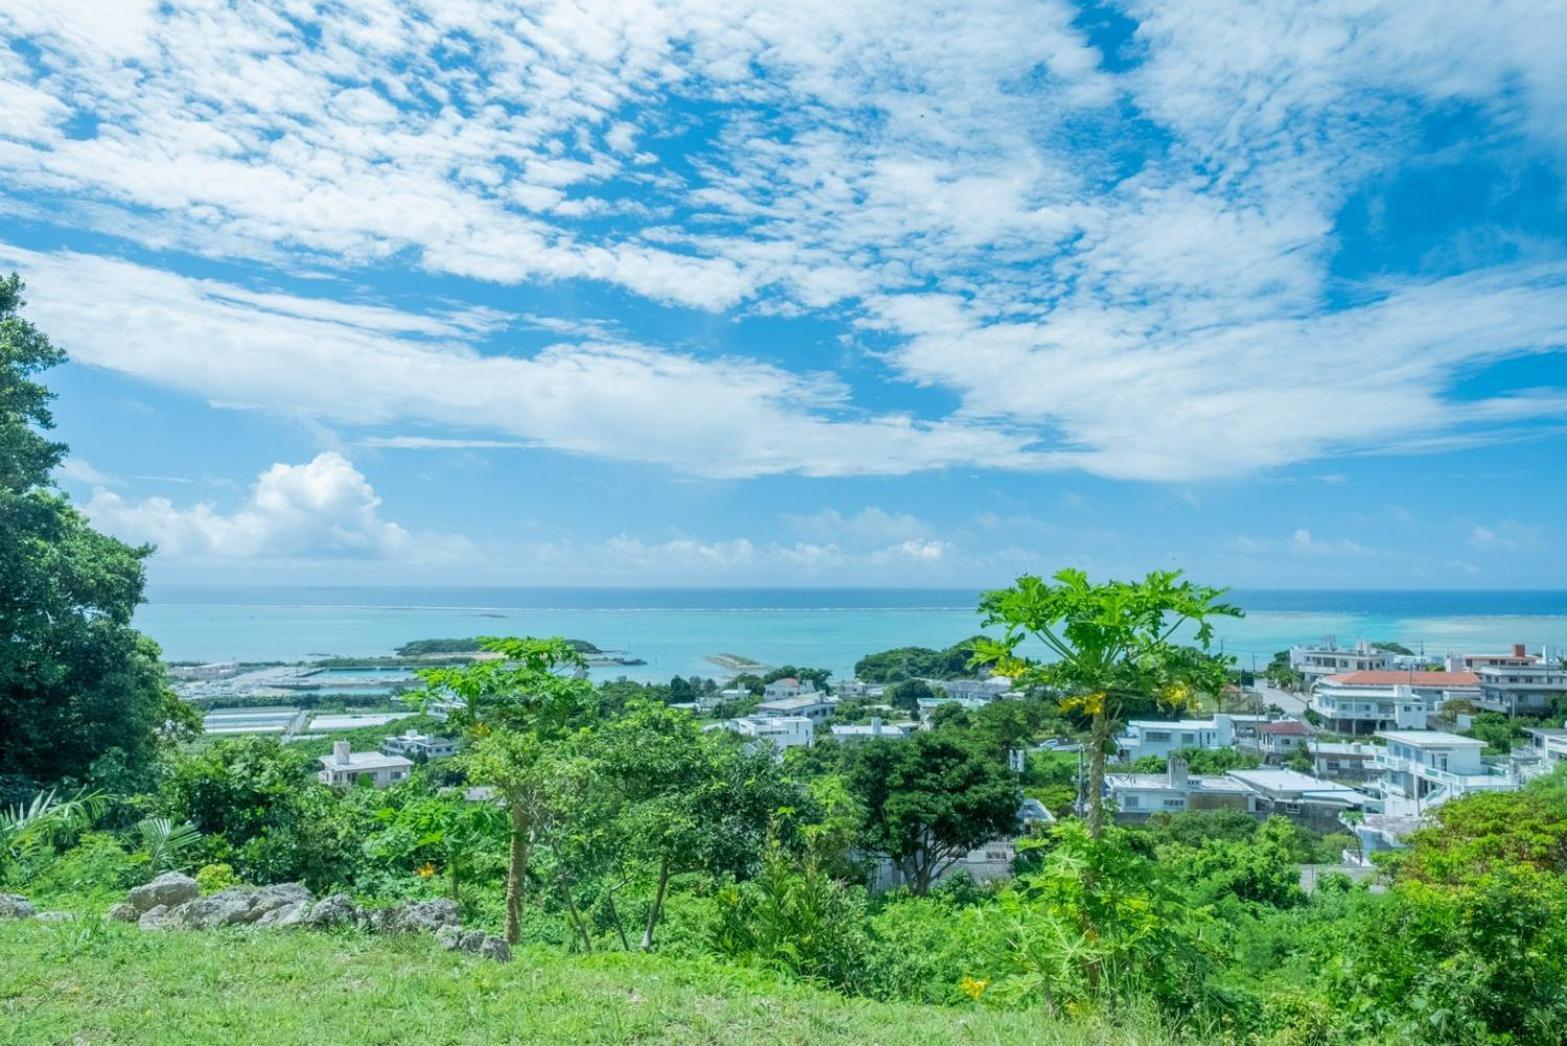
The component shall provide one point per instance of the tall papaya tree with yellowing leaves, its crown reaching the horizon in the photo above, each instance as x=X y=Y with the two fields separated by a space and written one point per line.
x=1112 y=643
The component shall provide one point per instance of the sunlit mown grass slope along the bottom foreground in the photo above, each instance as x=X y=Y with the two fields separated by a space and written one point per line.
x=115 y=984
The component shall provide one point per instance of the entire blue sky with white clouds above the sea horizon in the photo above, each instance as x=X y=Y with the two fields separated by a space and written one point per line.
x=817 y=294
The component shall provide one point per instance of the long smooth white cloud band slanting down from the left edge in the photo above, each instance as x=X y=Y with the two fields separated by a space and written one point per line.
x=369 y=366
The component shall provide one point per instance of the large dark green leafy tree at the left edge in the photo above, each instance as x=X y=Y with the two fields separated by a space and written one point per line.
x=82 y=694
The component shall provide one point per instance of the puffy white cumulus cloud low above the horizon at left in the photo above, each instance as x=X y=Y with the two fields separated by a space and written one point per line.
x=324 y=508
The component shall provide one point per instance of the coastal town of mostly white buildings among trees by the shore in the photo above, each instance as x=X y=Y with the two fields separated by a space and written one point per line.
x=1367 y=738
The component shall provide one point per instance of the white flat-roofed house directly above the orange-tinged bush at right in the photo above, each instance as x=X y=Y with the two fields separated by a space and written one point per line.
x=1425 y=768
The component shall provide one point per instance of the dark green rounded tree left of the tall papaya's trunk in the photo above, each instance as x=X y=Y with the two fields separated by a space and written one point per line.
x=930 y=799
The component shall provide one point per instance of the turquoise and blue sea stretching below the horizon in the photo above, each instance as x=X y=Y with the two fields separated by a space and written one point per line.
x=678 y=630
